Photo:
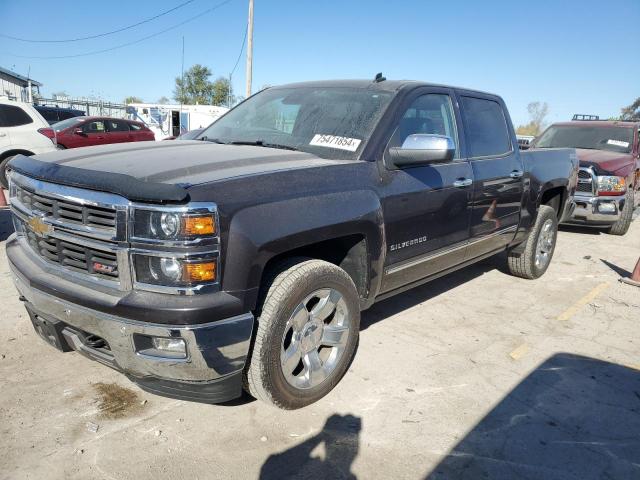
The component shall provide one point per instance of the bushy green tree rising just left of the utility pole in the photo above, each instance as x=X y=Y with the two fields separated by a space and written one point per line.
x=196 y=88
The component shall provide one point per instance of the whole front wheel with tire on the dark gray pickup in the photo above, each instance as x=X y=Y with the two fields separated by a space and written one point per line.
x=306 y=335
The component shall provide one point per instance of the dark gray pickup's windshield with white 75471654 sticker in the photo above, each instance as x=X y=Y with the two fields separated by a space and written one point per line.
x=331 y=122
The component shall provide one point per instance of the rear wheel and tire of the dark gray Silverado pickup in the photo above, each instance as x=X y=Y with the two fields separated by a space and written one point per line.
x=539 y=247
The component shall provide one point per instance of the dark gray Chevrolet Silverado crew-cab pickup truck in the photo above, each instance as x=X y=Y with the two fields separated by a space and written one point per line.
x=244 y=258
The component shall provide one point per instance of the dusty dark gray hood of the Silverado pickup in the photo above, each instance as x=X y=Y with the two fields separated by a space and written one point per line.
x=181 y=162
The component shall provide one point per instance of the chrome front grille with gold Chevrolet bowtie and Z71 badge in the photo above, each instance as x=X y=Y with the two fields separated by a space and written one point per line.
x=75 y=231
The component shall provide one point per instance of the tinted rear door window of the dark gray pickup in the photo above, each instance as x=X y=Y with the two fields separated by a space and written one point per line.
x=486 y=127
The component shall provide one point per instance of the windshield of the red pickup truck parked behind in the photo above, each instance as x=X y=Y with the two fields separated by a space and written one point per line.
x=613 y=139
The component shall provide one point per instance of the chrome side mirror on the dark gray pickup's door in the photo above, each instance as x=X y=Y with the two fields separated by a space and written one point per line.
x=423 y=149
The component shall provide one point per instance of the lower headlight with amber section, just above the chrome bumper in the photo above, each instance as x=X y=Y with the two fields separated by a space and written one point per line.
x=174 y=272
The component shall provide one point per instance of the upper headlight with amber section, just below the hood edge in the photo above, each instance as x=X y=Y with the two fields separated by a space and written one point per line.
x=157 y=225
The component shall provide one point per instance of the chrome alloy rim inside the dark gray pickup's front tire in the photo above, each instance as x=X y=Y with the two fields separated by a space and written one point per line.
x=315 y=338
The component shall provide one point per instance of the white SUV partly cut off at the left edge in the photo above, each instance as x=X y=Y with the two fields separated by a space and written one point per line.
x=22 y=130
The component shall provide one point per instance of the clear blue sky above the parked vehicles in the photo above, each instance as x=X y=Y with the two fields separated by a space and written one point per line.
x=578 y=56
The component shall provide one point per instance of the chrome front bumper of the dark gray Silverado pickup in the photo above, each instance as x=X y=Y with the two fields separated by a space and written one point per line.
x=210 y=373
